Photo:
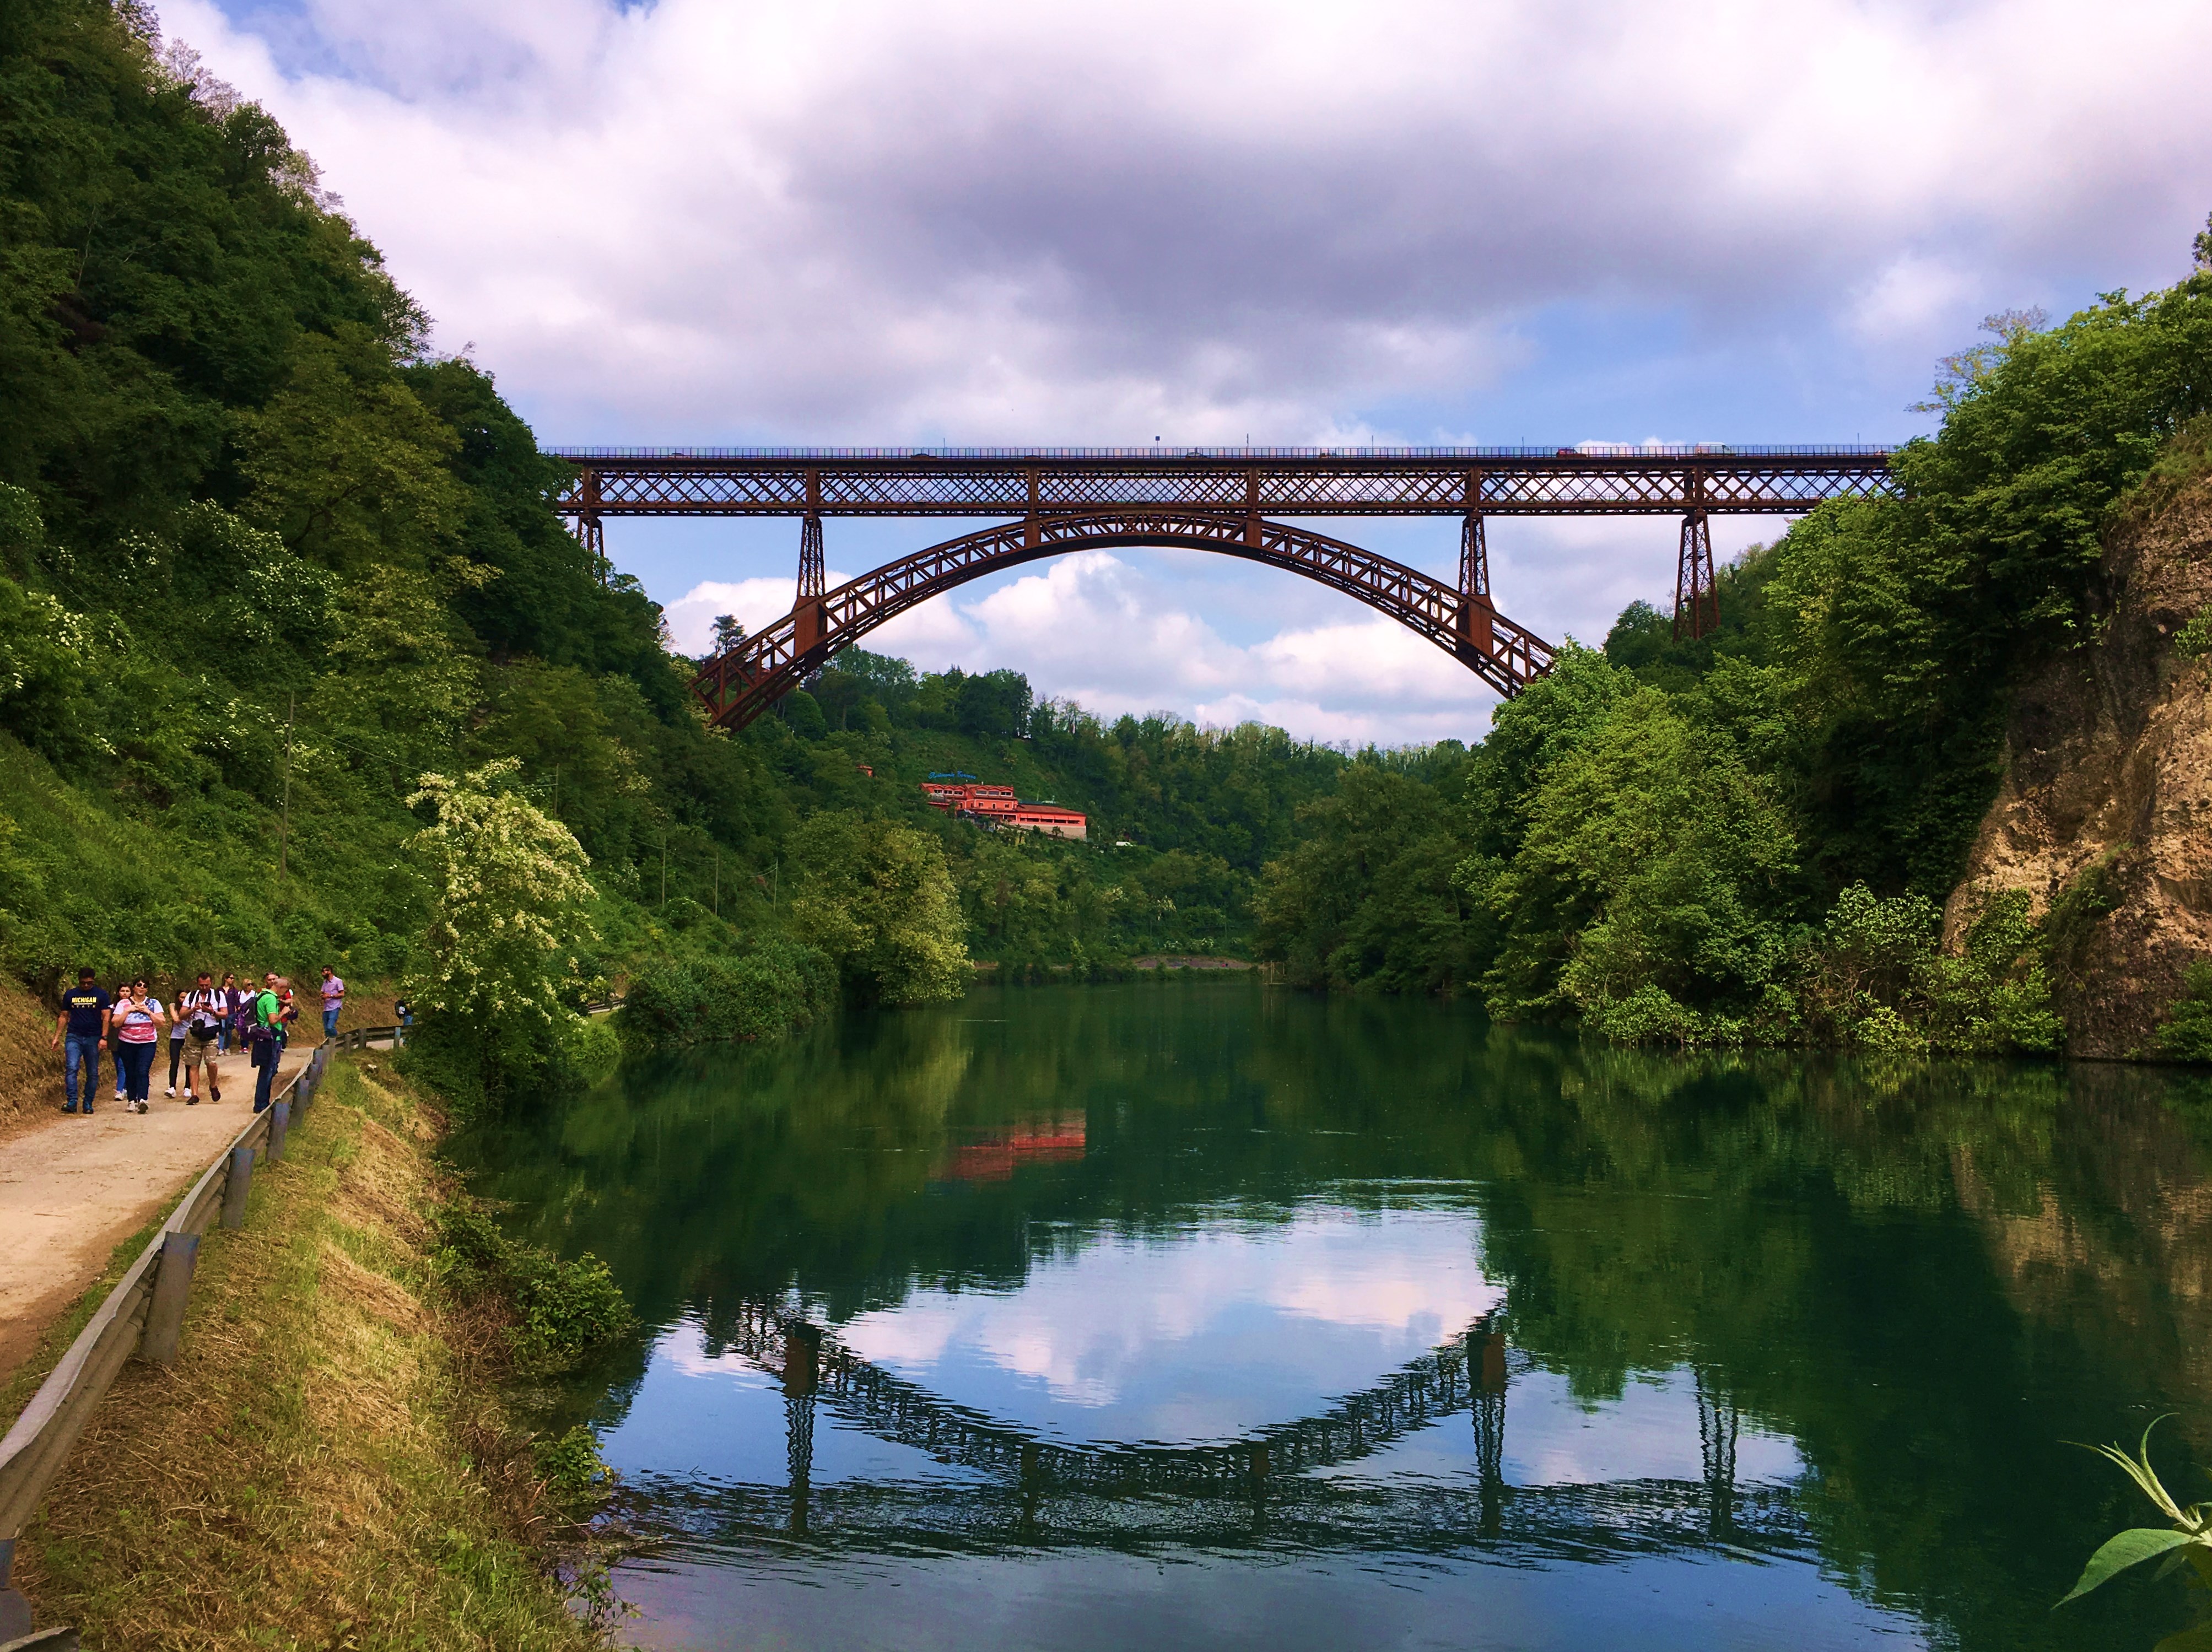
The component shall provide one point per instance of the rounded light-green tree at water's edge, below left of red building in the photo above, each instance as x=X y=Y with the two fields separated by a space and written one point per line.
x=877 y=899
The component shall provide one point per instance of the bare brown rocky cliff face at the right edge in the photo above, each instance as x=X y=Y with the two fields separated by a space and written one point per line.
x=2107 y=804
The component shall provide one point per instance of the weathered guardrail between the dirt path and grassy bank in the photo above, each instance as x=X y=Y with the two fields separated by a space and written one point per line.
x=143 y=1317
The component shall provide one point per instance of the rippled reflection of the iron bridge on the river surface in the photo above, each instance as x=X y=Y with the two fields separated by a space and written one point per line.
x=1282 y=1485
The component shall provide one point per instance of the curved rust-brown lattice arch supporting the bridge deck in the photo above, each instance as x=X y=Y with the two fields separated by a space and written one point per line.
x=744 y=682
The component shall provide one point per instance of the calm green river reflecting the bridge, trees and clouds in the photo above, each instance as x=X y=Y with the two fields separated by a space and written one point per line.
x=1209 y=1315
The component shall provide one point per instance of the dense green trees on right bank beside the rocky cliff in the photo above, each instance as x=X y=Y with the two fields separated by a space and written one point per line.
x=1751 y=837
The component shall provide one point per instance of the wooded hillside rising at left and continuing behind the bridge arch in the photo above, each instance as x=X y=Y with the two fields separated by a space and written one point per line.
x=269 y=563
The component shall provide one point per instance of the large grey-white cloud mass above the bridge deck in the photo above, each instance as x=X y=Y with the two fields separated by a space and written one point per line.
x=997 y=220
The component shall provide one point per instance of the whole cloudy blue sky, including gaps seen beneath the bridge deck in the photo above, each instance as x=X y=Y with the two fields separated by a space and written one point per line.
x=716 y=222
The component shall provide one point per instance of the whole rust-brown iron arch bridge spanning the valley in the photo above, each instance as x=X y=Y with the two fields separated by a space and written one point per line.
x=1227 y=501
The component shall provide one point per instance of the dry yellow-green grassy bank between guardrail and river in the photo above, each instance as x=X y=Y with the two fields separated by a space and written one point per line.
x=337 y=1458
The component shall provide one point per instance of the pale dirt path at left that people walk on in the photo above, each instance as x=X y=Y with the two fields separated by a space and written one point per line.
x=72 y=1189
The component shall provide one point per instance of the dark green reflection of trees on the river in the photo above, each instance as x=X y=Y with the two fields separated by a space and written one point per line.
x=1926 y=1275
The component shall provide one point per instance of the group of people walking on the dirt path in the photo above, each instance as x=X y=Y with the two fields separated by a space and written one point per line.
x=202 y=1023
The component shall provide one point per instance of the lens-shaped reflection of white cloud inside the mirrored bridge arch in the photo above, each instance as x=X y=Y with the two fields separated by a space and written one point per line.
x=1200 y=1335
